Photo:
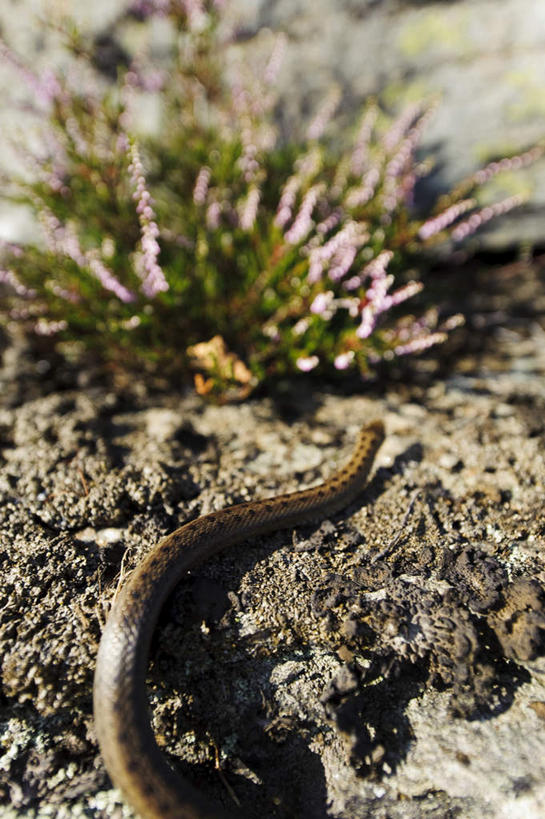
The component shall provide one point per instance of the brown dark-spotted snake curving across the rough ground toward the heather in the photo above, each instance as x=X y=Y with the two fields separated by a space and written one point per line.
x=122 y=721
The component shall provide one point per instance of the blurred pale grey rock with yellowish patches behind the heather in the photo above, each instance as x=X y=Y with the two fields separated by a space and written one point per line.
x=484 y=58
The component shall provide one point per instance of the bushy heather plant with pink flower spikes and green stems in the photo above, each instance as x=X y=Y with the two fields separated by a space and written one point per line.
x=210 y=246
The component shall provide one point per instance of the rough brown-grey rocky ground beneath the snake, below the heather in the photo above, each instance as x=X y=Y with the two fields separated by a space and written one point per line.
x=386 y=662
